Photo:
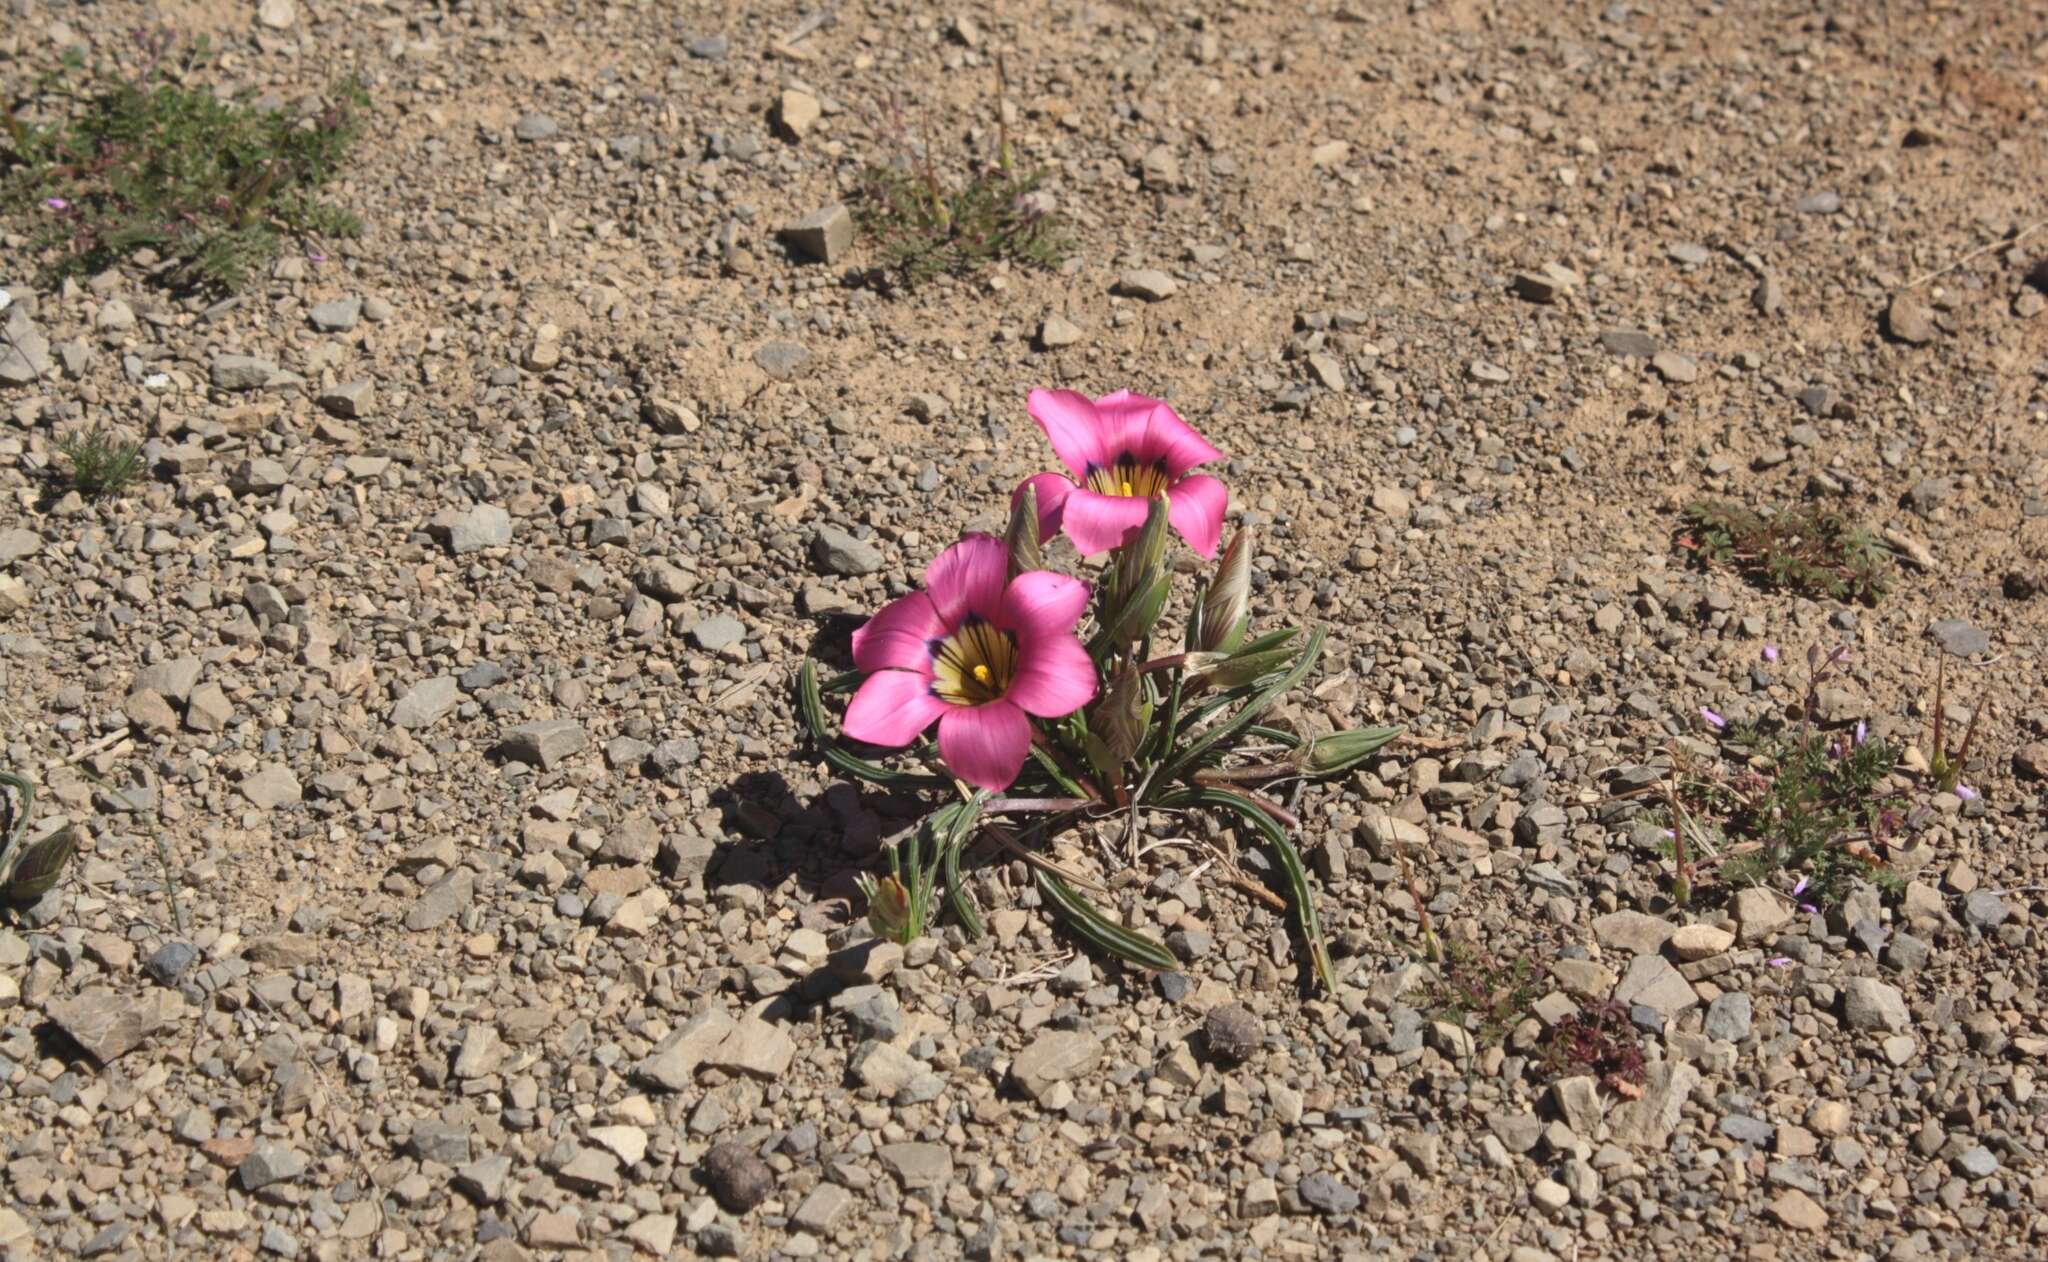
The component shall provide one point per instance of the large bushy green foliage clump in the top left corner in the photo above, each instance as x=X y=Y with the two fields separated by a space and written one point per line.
x=157 y=163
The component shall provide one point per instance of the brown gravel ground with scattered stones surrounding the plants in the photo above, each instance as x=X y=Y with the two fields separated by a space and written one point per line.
x=445 y=657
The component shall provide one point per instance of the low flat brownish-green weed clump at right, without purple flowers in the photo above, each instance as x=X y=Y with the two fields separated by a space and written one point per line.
x=1809 y=550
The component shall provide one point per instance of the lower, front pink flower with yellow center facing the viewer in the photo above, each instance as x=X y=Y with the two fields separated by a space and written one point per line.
x=980 y=655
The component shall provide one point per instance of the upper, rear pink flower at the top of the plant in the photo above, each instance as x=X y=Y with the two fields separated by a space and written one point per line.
x=1123 y=452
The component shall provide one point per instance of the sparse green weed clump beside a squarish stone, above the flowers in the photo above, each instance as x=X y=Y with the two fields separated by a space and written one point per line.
x=927 y=226
